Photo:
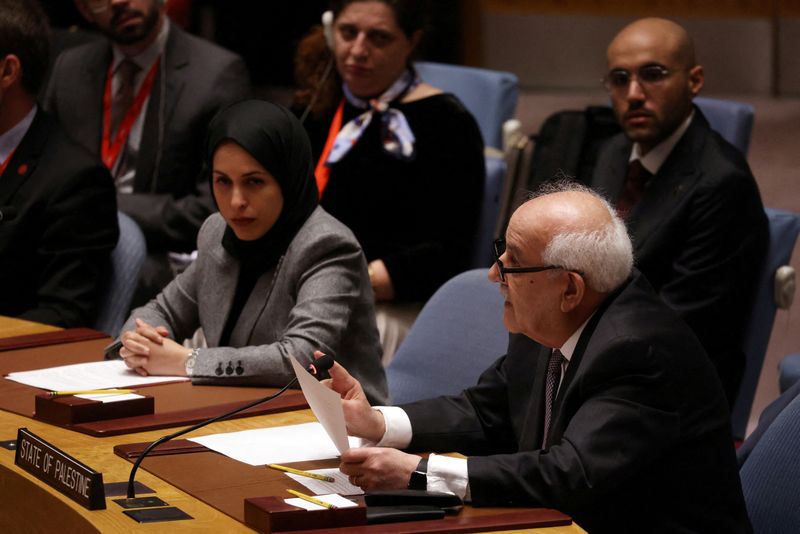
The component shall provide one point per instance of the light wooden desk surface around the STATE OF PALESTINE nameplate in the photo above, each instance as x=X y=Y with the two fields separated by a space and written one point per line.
x=30 y=505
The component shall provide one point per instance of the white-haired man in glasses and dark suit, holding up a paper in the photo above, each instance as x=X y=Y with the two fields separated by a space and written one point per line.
x=604 y=407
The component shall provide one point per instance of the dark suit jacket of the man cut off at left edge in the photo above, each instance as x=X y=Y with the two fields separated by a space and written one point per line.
x=54 y=252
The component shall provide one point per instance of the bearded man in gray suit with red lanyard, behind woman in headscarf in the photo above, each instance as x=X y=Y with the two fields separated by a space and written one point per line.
x=142 y=103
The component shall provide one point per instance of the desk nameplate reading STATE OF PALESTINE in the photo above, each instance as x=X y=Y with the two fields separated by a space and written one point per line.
x=67 y=475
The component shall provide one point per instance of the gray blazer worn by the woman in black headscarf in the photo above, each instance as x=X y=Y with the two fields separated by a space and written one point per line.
x=318 y=297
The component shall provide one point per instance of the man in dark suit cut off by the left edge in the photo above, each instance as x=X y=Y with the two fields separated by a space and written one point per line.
x=58 y=221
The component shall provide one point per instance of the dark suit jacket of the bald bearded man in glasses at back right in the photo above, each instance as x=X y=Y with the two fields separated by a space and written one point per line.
x=700 y=235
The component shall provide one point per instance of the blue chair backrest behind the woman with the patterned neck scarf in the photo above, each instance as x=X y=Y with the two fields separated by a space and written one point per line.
x=490 y=95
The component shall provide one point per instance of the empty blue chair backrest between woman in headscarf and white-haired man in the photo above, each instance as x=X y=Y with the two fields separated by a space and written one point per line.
x=456 y=336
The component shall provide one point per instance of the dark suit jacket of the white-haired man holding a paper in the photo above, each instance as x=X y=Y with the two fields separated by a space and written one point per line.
x=640 y=438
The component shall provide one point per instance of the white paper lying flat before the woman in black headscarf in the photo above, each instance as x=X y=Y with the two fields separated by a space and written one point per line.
x=91 y=375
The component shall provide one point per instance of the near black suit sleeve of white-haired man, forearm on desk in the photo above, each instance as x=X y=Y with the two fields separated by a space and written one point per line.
x=625 y=422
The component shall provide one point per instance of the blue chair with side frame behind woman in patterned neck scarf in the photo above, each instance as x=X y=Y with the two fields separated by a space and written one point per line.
x=491 y=97
